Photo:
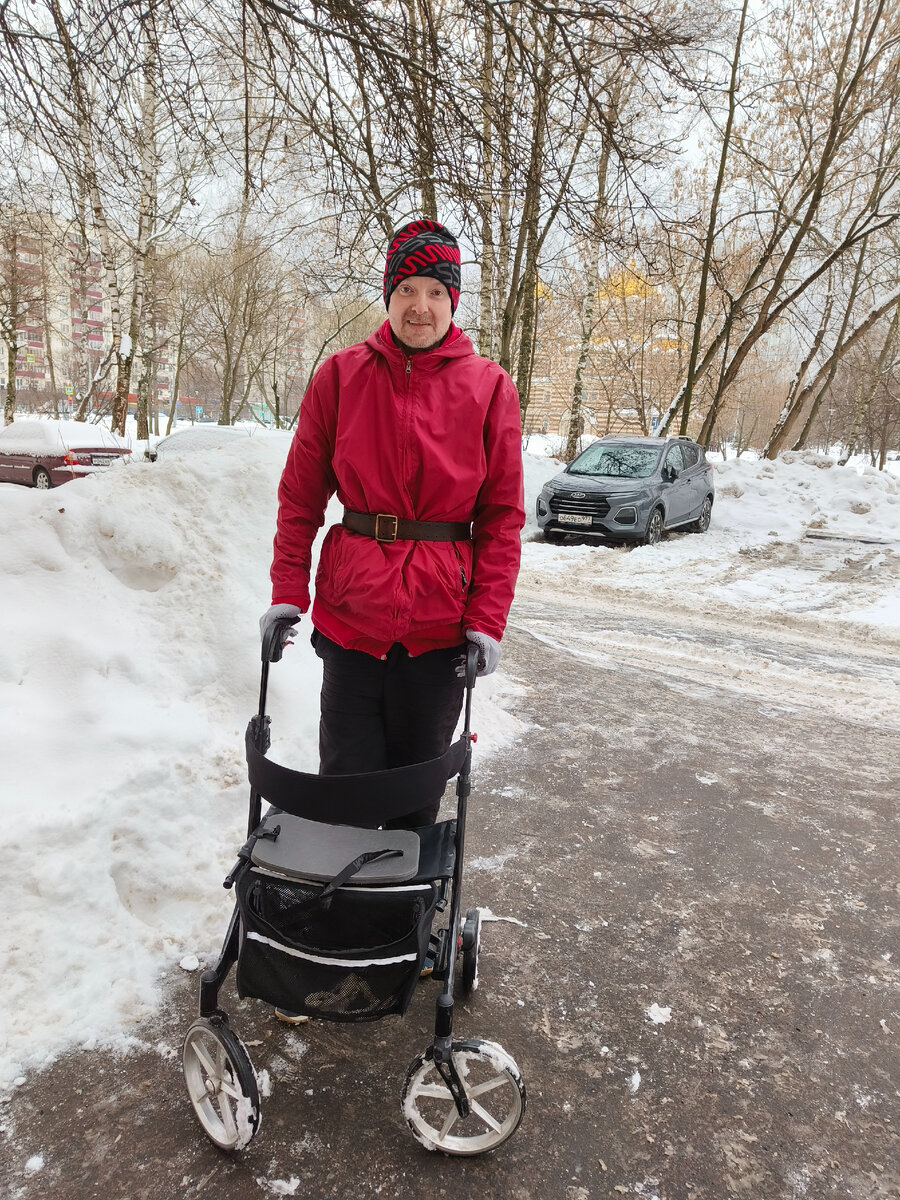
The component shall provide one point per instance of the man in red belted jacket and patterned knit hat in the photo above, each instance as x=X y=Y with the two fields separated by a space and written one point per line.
x=421 y=440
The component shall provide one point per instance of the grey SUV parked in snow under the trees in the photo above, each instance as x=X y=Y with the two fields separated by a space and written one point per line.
x=631 y=490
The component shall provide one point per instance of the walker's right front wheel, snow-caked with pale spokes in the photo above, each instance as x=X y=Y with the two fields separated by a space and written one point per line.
x=495 y=1091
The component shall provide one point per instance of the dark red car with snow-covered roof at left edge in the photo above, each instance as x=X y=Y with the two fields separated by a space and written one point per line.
x=43 y=454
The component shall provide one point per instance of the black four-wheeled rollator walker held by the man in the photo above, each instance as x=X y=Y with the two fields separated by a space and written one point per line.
x=334 y=921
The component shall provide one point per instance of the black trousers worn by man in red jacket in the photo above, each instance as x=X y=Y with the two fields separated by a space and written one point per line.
x=383 y=713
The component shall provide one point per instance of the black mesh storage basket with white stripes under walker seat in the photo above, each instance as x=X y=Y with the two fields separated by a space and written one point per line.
x=352 y=955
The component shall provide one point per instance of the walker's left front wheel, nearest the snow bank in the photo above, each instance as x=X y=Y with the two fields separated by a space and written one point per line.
x=221 y=1084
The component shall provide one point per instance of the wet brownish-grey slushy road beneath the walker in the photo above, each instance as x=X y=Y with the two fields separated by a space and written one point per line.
x=692 y=851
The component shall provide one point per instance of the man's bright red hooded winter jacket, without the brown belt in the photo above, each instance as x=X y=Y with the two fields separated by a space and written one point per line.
x=431 y=437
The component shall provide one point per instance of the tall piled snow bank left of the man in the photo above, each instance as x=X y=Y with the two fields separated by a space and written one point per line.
x=128 y=680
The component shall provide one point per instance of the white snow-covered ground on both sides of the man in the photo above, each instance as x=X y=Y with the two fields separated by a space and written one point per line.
x=129 y=668
